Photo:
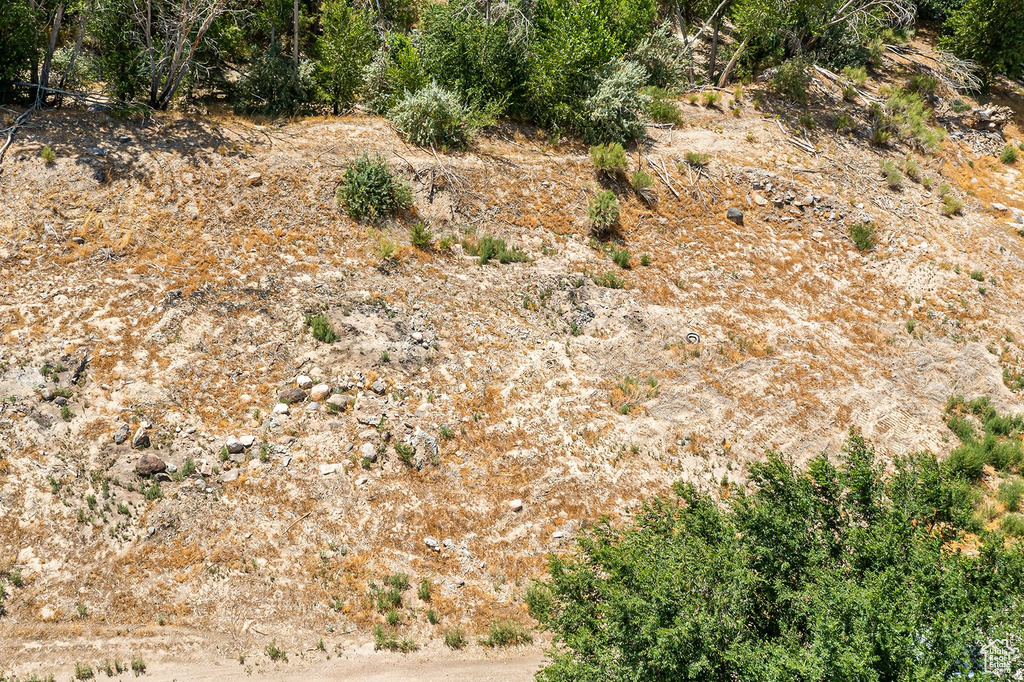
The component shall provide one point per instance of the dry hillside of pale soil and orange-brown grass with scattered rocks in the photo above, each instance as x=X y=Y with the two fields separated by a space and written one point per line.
x=485 y=414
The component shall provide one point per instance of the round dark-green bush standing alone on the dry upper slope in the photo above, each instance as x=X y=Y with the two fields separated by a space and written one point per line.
x=369 y=190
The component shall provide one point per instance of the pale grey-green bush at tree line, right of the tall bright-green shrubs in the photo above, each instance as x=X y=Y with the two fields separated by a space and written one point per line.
x=616 y=111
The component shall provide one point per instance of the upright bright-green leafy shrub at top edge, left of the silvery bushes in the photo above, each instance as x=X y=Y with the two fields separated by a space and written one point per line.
x=344 y=51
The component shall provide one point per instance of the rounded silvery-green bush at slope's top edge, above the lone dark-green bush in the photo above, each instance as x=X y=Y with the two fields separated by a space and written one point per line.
x=433 y=116
